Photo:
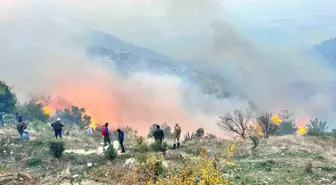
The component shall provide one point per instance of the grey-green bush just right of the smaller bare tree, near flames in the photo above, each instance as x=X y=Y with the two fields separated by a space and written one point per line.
x=287 y=126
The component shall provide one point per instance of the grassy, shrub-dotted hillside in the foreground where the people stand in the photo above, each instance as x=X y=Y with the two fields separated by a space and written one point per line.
x=278 y=161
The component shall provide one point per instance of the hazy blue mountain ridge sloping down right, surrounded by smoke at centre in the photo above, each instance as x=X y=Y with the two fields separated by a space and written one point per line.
x=129 y=57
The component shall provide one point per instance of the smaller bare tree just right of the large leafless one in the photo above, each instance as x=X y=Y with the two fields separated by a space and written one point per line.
x=266 y=124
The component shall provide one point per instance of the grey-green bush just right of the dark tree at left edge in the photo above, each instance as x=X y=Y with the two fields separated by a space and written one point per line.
x=33 y=111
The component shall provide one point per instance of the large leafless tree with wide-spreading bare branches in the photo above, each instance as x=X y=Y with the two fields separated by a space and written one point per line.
x=236 y=122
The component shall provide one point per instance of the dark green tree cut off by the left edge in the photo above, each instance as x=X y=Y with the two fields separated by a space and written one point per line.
x=8 y=99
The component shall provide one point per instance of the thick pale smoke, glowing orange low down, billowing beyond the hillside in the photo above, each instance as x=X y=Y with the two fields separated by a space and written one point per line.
x=42 y=50
